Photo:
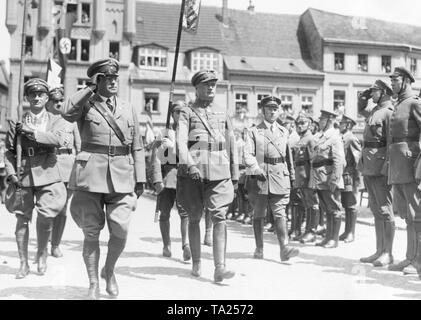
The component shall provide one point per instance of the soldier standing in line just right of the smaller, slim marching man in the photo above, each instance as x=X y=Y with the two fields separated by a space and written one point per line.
x=302 y=151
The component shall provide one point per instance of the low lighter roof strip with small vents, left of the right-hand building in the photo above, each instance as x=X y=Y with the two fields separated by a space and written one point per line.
x=270 y=65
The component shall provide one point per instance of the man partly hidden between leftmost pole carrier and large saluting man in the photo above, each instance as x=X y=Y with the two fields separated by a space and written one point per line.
x=65 y=161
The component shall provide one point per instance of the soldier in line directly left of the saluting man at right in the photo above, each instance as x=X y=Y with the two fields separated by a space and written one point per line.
x=351 y=176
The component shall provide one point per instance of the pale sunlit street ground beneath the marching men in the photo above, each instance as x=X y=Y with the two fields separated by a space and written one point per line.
x=144 y=274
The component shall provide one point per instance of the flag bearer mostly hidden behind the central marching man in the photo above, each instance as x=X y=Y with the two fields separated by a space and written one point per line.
x=164 y=177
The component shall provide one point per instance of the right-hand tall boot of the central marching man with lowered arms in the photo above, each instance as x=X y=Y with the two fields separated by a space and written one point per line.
x=219 y=251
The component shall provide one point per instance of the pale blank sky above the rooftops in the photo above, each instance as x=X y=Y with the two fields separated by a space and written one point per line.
x=403 y=11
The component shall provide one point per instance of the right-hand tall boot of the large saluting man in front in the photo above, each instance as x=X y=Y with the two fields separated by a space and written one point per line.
x=115 y=248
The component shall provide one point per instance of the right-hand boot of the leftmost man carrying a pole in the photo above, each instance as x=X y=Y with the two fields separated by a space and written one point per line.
x=44 y=227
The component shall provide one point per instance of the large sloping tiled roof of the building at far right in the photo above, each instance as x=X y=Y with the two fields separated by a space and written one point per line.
x=337 y=27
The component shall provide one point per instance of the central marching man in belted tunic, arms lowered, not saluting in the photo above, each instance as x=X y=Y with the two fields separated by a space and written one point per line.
x=208 y=163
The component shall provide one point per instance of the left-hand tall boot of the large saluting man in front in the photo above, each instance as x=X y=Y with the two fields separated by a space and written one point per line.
x=90 y=255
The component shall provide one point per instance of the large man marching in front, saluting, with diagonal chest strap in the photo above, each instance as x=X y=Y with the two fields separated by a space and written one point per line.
x=109 y=171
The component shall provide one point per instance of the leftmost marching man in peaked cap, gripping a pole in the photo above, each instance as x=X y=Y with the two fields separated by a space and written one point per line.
x=41 y=187
